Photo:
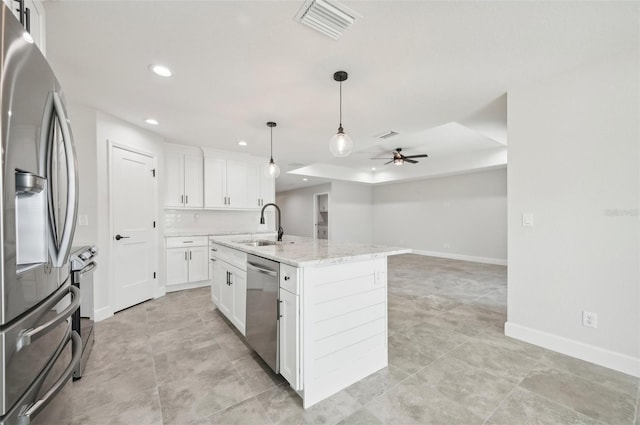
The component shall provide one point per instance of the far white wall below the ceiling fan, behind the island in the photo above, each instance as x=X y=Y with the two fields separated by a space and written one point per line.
x=462 y=216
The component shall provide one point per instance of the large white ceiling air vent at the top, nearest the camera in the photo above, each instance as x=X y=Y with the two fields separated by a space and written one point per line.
x=326 y=16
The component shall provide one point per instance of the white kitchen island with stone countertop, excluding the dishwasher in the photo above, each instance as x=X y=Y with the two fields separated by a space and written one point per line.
x=332 y=306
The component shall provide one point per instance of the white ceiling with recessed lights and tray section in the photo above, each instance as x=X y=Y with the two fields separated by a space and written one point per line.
x=437 y=73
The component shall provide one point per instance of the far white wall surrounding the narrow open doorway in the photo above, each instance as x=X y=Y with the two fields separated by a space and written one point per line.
x=297 y=209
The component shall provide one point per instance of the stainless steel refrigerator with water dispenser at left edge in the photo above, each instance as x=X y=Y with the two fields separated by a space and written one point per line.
x=38 y=349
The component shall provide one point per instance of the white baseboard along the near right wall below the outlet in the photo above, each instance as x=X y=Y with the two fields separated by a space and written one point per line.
x=590 y=353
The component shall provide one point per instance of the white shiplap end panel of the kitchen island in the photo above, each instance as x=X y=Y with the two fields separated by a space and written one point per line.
x=344 y=317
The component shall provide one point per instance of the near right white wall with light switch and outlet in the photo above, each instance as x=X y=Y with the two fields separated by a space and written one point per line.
x=574 y=163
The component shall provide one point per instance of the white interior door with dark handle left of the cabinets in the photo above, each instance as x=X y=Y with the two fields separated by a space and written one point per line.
x=133 y=214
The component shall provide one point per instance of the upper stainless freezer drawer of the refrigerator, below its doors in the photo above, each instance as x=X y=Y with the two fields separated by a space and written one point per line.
x=28 y=344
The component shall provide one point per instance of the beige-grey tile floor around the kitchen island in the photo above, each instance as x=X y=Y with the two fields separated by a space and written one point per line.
x=175 y=361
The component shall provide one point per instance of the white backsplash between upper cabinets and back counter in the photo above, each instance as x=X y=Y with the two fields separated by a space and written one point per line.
x=205 y=221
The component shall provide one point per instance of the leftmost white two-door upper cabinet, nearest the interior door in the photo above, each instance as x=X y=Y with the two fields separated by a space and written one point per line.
x=183 y=180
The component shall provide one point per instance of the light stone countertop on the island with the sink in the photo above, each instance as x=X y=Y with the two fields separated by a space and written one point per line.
x=300 y=252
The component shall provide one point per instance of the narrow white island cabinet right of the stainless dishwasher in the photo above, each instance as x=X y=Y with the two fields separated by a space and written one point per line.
x=289 y=332
